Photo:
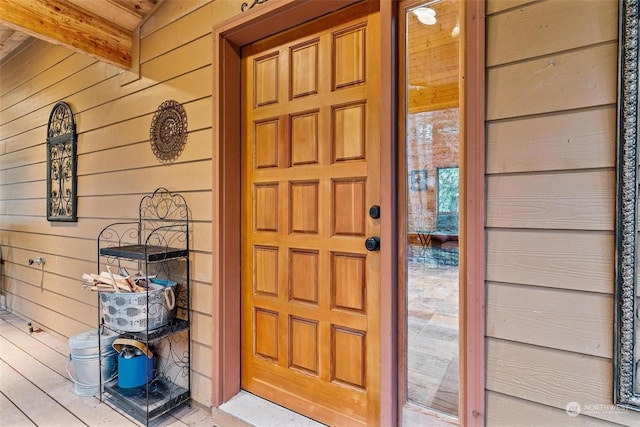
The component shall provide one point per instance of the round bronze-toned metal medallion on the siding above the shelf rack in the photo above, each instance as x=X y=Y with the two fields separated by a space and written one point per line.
x=168 y=134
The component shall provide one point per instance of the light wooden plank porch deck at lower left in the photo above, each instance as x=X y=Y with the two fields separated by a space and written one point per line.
x=36 y=391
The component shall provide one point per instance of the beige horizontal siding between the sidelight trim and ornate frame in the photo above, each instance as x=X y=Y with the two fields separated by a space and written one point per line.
x=551 y=129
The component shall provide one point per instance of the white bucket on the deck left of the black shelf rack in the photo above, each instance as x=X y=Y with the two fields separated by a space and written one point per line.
x=86 y=361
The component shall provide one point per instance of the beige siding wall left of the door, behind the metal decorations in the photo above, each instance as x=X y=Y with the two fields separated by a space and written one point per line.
x=115 y=166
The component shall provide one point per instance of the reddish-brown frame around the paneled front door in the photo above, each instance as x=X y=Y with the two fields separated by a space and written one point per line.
x=271 y=18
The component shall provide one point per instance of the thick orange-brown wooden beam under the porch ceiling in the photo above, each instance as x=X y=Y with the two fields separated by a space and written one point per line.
x=60 y=22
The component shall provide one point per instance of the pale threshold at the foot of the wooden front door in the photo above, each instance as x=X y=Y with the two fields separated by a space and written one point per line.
x=260 y=412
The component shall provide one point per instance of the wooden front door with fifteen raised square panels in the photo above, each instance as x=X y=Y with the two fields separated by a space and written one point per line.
x=310 y=174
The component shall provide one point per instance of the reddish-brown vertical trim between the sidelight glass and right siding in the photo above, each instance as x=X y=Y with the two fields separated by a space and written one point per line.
x=473 y=302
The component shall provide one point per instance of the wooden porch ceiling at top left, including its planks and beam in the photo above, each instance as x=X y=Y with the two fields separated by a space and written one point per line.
x=100 y=28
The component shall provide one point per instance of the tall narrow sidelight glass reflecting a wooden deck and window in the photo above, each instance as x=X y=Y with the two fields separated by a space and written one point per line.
x=432 y=206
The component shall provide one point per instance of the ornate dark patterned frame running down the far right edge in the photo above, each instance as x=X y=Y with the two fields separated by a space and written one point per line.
x=627 y=292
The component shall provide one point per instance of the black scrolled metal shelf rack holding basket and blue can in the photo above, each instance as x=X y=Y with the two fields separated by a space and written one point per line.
x=156 y=245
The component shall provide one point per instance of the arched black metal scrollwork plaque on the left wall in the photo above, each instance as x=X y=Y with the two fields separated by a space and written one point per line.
x=62 y=141
